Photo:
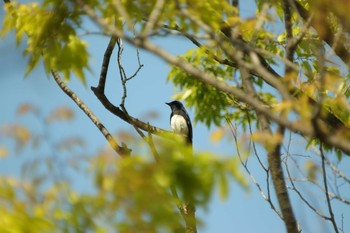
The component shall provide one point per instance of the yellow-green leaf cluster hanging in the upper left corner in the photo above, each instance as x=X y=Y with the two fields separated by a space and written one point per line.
x=61 y=49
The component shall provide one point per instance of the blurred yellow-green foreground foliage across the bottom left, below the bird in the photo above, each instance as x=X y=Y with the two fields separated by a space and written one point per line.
x=127 y=195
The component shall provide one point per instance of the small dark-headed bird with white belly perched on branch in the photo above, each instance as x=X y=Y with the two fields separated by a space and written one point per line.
x=180 y=121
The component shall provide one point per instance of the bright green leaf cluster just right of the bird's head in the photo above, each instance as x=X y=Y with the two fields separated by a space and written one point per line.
x=210 y=105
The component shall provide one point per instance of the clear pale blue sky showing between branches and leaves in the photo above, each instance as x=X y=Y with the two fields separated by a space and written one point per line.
x=244 y=211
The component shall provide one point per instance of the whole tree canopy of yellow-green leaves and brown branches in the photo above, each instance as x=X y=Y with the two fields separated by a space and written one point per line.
x=259 y=80
